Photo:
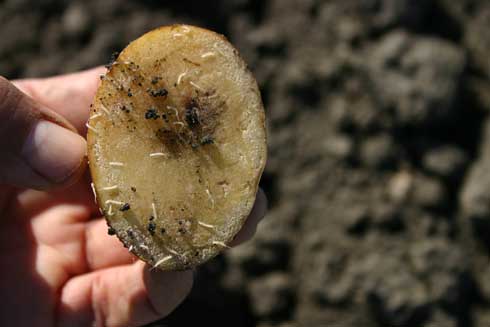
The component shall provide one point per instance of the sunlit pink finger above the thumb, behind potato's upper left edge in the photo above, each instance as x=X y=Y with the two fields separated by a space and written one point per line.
x=69 y=95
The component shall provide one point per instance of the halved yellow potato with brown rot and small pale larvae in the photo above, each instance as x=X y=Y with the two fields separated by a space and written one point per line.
x=177 y=145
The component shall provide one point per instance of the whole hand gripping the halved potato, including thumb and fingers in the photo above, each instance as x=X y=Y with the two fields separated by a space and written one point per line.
x=59 y=266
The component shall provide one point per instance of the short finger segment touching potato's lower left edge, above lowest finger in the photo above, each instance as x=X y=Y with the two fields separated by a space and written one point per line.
x=104 y=250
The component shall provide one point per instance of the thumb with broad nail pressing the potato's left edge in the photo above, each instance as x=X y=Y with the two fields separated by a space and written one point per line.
x=39 y=148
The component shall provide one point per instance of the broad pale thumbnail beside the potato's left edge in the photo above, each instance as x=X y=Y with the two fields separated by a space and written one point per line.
x=53 y=151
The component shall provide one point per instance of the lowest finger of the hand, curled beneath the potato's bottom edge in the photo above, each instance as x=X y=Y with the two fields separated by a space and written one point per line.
x=130 y=295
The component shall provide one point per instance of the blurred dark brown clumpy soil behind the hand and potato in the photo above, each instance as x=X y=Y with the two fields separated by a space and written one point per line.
x=379 y=147
